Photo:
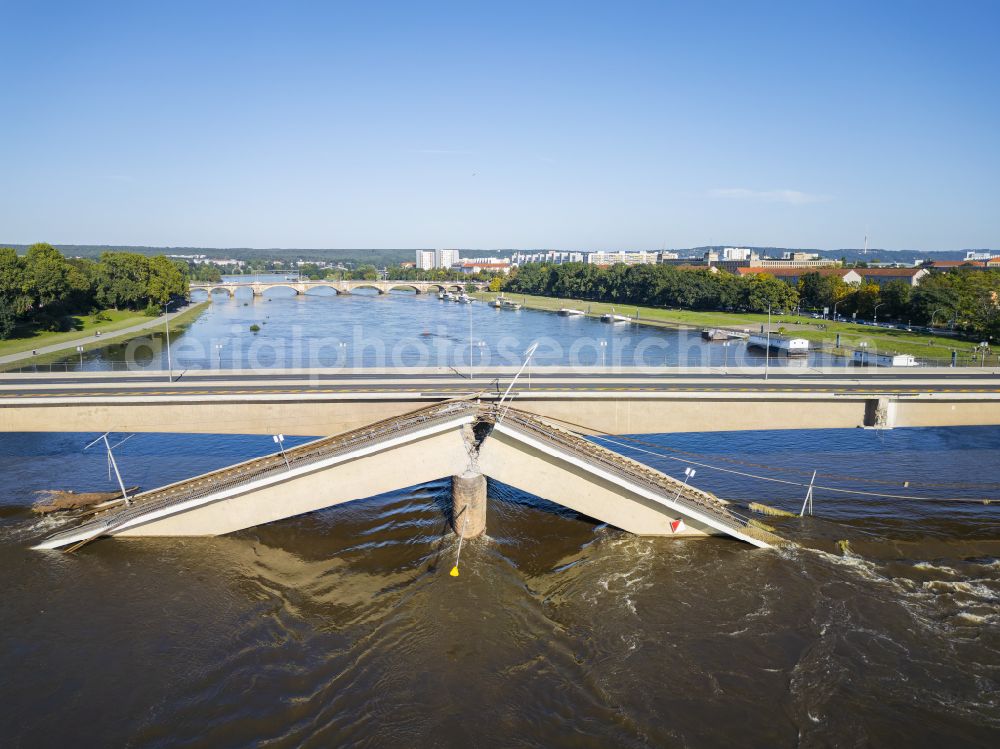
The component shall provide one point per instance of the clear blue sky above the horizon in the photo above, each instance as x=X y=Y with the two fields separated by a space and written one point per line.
x=543 y=124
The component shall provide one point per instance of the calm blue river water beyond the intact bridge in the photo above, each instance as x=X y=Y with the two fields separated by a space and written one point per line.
x=400 y=329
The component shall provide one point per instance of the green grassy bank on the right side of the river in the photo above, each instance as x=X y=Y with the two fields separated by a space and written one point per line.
x=922 y=345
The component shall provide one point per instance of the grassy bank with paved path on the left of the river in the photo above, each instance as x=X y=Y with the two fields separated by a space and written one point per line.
x=119 y=319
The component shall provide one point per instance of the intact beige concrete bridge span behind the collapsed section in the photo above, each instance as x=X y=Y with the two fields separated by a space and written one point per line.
x=620 y=401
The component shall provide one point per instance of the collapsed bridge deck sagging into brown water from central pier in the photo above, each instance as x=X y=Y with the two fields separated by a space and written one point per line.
x=423 y=445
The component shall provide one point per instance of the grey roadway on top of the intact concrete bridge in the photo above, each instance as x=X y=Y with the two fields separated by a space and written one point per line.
x=555 y=380
